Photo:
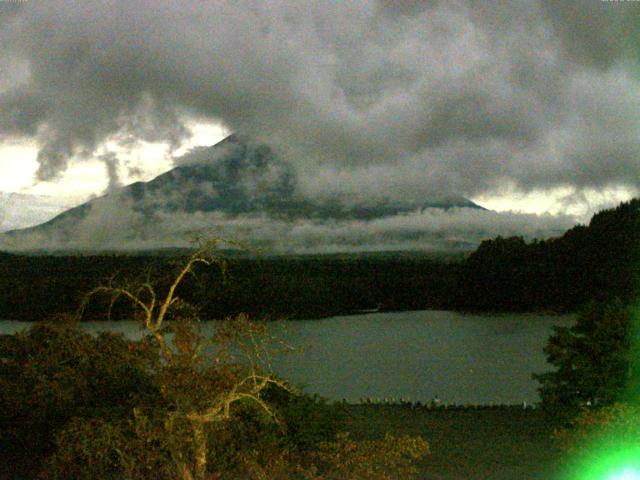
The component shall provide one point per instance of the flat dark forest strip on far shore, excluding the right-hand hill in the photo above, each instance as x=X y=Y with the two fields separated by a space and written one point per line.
x=34 y=287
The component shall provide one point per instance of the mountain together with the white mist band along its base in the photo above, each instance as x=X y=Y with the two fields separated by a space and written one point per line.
x=246 y=191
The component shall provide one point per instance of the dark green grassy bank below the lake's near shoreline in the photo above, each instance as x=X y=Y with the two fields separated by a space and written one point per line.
x=471 y=444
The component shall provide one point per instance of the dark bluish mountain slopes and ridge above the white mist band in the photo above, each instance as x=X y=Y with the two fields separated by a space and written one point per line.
x=233 y=177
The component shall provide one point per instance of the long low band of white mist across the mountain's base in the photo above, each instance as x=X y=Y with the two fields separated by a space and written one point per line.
x=111 y=225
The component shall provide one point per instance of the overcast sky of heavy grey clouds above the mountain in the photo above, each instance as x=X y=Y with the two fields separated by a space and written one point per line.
x=521 y=105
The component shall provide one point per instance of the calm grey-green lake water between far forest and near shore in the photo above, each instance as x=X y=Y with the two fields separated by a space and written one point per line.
x=420 y=355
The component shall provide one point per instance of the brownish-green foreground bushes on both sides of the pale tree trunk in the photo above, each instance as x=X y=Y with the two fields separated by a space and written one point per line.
x=95 y=407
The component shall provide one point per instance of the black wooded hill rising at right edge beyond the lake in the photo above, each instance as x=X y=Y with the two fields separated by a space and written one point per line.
x=594 y=263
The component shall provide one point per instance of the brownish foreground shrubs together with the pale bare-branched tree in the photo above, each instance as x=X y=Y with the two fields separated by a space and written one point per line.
x=173 y=405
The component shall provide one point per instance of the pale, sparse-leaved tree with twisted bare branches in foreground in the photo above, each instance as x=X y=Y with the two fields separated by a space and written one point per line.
x=202 y=379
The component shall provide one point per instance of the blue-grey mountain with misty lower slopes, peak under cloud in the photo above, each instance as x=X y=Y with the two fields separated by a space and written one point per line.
x=229 y=182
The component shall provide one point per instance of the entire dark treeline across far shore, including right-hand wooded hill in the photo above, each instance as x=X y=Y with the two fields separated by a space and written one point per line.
x=597 y=262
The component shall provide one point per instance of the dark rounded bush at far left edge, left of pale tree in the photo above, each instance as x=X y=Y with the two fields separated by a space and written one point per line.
x=54 y=372
